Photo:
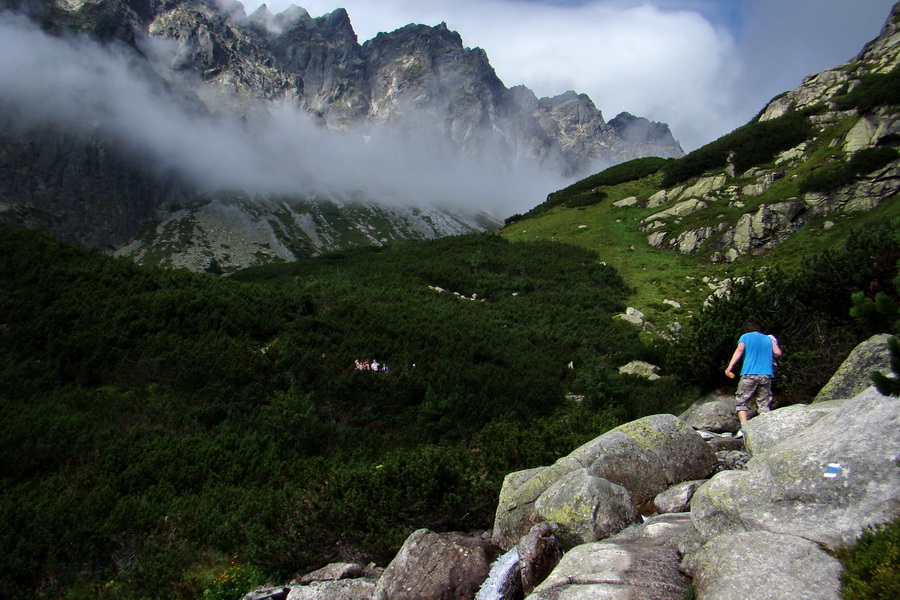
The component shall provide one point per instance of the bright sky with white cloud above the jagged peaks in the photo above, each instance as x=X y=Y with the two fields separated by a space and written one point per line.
x=704 y=67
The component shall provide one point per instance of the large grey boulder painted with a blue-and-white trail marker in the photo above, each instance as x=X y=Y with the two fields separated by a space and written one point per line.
x=827 y=483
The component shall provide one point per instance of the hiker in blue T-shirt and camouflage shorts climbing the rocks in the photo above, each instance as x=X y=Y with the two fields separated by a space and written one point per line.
x=759 y=352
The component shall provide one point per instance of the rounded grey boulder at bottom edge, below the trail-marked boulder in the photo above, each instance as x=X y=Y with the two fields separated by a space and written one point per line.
x=761 y=565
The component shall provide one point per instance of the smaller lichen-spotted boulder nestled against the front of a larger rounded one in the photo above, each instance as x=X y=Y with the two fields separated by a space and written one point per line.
x=586 y=508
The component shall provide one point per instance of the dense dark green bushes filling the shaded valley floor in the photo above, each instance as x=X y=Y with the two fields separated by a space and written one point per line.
x=161 y=432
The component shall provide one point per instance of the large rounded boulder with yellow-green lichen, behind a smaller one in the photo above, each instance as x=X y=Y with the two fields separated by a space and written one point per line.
x=645 y=457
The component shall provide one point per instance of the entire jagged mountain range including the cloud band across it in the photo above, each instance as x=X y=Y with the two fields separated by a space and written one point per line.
x=196 y=135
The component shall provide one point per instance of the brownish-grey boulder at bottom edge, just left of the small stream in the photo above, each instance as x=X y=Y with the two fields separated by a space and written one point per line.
x=446 y=566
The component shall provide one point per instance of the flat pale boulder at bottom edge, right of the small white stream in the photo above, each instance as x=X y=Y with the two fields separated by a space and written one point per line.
x=641 y=562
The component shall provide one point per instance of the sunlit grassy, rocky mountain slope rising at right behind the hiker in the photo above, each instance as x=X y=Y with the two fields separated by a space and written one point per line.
x=817 y=163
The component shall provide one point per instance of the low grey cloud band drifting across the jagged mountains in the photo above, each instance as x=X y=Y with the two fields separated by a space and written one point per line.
x=85 y=88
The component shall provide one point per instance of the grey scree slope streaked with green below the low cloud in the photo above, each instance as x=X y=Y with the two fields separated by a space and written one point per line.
x=234 y=233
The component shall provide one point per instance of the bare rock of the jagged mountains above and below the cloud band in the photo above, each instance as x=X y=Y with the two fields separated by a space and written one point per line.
x=417 y=81
